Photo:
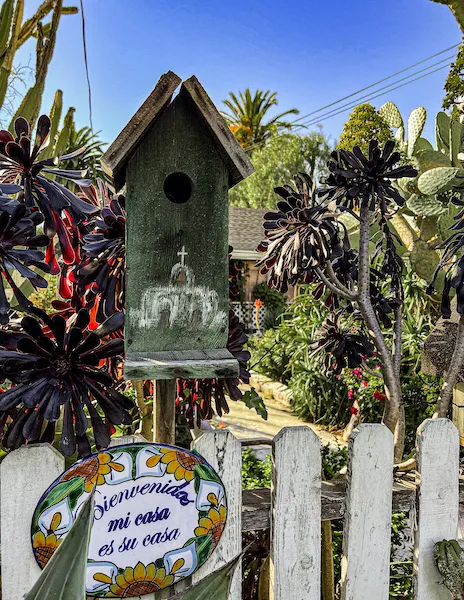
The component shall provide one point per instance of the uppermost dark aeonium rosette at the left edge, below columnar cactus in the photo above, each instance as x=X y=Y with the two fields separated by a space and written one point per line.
x=20 y=163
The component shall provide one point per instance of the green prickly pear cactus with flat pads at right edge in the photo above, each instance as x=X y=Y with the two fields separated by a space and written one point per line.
x=440 y=177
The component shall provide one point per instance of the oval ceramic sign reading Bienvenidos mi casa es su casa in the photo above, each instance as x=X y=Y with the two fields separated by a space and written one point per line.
x=159 y=513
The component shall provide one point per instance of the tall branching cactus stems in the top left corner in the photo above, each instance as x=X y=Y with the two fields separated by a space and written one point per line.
x=14 y=33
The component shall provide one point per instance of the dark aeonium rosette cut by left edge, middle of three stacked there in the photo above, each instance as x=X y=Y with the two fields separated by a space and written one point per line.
x=18 y=253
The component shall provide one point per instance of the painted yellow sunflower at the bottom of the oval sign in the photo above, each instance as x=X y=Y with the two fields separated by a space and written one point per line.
x=136 y=581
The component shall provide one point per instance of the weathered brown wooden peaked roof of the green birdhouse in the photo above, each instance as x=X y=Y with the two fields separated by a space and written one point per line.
x=115 y=159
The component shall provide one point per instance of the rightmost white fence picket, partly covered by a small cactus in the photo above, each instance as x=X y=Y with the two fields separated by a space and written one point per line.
x=437 y=502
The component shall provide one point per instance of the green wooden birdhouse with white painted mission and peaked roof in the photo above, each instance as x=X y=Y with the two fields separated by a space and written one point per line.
x=177 y=159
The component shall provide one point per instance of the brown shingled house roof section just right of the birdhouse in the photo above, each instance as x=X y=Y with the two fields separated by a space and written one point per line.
x=246 y=231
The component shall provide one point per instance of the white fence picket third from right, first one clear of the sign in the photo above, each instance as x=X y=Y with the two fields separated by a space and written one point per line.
x=296 y=515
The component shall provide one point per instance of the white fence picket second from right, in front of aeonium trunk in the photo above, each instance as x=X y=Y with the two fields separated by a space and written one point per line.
x=366 y=541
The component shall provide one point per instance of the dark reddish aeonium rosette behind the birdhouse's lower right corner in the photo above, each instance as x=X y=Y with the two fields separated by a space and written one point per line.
x=195 y=396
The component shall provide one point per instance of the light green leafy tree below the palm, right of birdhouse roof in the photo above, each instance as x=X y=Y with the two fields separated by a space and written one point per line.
x=276 y=163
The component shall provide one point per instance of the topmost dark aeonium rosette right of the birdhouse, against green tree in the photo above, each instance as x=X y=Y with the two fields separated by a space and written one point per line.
x=358 y=180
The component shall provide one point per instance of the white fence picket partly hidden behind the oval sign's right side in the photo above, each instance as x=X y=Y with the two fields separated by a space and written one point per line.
x=224 y=453
